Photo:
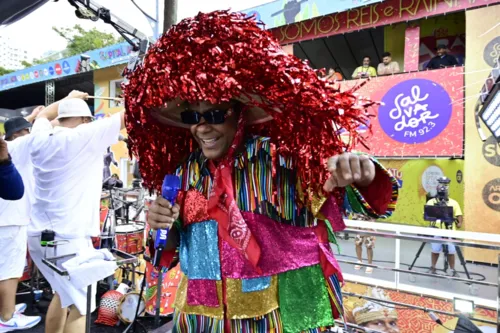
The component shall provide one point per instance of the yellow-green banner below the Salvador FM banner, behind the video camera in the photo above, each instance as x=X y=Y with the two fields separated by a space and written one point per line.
x=417 y=178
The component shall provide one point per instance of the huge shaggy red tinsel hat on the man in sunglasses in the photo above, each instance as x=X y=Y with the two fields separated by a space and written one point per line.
x=220 y=56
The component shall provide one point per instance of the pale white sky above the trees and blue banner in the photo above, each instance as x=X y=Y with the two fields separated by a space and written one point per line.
x=34 y=32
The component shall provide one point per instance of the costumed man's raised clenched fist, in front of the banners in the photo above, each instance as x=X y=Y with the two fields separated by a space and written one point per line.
x=347 y=169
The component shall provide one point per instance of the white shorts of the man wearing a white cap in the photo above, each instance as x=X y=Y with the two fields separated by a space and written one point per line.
x=67 y=292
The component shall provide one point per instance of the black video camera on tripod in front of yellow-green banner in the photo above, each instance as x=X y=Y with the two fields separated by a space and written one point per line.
x=440 y=211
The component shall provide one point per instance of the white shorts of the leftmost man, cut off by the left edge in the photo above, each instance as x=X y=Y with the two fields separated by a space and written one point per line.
x=13 y=256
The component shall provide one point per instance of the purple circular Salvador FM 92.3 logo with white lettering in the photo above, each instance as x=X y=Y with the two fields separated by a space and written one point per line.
x=415 y=111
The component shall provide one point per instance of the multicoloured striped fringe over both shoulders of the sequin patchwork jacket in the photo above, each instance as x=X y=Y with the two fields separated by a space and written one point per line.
x=263 y=184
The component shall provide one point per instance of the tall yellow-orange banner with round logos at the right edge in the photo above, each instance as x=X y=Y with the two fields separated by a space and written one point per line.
x=482 y=166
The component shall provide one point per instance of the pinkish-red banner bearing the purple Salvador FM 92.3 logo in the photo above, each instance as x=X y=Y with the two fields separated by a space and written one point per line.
x=421 y=114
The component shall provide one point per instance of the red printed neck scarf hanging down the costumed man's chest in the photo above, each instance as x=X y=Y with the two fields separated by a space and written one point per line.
x=223 y=208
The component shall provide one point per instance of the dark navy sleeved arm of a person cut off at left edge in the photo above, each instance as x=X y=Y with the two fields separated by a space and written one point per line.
x=11 y=182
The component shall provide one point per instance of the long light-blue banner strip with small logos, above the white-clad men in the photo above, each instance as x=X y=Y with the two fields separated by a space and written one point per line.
x=91 y=60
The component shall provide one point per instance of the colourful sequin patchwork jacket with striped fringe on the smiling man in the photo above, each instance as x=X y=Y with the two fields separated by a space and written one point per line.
x=298 y=286
